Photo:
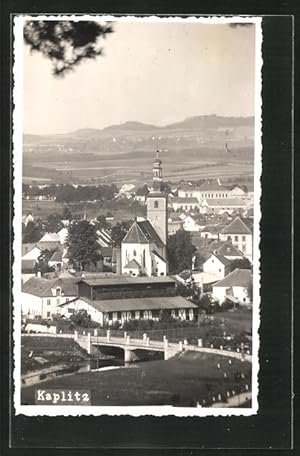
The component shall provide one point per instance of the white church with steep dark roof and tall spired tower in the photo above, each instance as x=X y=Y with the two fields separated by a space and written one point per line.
x=144 y=248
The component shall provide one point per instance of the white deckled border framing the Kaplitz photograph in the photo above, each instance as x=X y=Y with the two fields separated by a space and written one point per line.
x=36 y=410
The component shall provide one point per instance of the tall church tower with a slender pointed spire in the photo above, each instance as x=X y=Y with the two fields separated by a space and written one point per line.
x=157 y=203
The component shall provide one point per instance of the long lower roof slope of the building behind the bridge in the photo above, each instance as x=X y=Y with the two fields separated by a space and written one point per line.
x=121 y=305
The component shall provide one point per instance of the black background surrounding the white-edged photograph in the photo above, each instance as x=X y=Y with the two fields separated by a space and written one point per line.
x=272 y=427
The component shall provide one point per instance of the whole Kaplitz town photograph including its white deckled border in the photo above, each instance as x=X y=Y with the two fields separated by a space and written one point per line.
x=137 y=167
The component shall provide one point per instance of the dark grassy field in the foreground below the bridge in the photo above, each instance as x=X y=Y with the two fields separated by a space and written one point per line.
x=181 y=381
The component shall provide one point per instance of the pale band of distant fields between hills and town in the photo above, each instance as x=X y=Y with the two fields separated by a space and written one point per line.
x=136 y=166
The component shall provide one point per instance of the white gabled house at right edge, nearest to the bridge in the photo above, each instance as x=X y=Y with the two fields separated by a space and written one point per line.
x=235 y=287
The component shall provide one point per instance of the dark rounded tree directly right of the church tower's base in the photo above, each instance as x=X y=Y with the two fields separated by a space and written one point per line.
x=180 y=251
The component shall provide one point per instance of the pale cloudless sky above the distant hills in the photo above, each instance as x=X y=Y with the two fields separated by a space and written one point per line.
x=156 y=73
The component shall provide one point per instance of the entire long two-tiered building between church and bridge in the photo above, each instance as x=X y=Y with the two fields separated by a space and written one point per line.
x=111 y=300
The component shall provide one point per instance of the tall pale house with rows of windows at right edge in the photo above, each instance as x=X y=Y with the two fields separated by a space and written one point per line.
x=240 y=235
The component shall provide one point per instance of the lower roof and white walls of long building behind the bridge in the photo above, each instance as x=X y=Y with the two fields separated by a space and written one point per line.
x=111 y=311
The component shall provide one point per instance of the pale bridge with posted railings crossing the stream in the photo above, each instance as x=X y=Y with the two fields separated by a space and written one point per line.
x=90 y=343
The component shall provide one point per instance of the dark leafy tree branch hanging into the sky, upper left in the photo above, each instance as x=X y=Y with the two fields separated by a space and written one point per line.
x=66 y=43
